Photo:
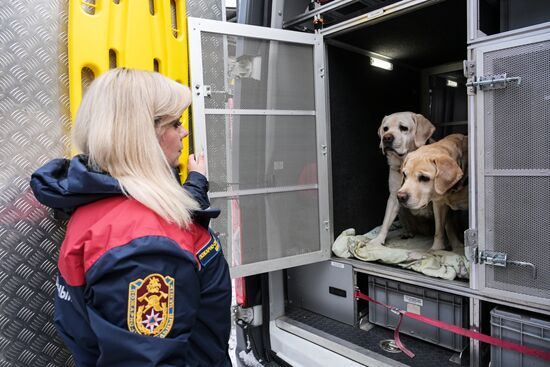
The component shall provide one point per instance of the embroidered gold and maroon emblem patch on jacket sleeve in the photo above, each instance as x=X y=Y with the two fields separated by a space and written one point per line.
x=151 y=305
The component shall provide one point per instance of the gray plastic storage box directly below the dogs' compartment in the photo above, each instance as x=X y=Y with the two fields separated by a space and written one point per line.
x=437 y=305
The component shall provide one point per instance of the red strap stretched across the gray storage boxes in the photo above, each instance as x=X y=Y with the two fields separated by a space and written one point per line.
x=455 y=329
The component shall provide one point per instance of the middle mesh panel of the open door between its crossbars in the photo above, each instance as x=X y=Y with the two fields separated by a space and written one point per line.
x=292 y=161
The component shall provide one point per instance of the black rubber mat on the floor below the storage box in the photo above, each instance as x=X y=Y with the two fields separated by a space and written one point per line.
x=427 y=355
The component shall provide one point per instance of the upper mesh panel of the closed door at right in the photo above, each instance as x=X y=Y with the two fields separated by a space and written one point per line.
x=518 y=117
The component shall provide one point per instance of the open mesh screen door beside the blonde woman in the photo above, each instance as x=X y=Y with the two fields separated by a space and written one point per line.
x=258 y=114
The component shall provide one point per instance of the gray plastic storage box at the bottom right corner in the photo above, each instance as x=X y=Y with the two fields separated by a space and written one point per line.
x=528 y=330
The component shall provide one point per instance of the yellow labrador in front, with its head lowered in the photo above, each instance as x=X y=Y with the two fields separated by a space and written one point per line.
x=438 y=173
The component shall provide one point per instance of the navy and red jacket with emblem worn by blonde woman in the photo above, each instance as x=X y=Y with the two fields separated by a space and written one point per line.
x=133 y=289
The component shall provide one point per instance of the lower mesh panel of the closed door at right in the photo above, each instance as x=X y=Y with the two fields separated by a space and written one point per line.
x=519 y=226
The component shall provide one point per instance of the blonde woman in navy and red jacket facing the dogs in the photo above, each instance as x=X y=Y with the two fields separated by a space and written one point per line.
x=142 y=281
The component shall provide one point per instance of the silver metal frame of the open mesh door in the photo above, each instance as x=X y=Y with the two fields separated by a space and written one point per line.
x=196 y=26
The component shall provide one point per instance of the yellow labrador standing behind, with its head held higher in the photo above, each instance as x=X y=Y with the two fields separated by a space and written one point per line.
x=400 y=133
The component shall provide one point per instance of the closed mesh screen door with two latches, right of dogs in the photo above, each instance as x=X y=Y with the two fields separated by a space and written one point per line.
x=514 y=167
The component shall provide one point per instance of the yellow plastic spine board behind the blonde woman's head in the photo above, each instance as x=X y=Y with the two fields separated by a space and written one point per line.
x=140 y=34
